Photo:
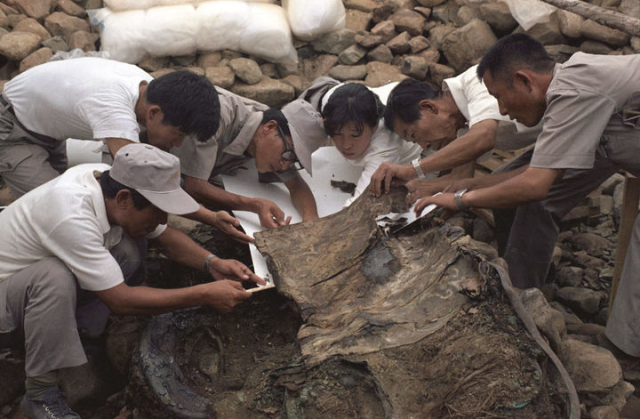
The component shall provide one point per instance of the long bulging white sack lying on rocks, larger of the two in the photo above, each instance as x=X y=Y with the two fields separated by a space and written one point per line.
x=258 y=29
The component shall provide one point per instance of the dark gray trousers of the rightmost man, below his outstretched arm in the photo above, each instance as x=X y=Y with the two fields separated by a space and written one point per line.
x=527 y=235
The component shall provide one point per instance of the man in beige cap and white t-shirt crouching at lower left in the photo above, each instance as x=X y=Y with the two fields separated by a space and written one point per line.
x=77 y=237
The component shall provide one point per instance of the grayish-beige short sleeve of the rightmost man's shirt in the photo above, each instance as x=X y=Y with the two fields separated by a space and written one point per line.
x=573 y=124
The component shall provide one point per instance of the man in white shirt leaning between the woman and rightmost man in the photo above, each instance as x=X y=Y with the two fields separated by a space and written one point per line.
x=462 y=122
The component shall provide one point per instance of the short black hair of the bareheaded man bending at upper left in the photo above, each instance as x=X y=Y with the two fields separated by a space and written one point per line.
x=188 y=101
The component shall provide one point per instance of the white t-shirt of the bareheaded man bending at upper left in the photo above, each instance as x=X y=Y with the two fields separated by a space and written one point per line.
x=84 y=98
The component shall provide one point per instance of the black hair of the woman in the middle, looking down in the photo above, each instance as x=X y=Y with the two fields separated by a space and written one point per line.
x=351 y=102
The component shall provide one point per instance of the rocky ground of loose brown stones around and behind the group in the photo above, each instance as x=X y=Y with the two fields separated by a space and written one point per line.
x=383 y=41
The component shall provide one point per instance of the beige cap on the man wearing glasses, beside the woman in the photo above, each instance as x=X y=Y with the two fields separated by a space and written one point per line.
x=307 y=130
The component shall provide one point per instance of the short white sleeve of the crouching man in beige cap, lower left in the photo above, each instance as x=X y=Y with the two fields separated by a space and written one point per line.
x=88 y=259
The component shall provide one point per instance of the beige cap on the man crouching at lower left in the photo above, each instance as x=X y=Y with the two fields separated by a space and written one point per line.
x=155 y=174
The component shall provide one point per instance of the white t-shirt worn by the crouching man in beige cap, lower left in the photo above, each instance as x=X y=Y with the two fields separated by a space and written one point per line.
x=66 y=218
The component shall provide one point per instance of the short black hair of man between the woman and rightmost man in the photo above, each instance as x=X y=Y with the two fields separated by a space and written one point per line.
x=405 y=98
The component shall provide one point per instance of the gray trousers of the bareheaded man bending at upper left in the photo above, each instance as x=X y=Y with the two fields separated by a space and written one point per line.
x=26 y=161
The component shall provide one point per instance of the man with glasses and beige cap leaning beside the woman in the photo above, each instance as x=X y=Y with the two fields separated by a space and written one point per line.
x=280 y=141
